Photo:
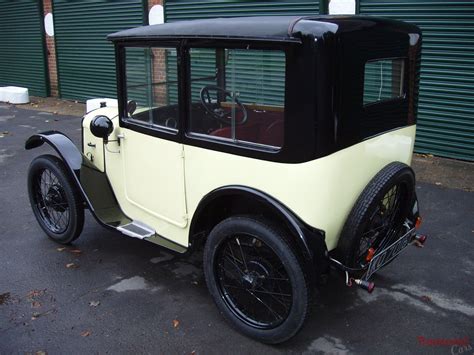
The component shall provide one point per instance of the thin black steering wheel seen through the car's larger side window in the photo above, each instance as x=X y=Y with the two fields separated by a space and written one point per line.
x=222 y=114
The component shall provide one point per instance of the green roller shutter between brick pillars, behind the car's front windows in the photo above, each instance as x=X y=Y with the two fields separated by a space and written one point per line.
x=86 y=60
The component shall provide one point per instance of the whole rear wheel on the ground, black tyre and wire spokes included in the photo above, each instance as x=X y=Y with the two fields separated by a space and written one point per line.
x=256 y=279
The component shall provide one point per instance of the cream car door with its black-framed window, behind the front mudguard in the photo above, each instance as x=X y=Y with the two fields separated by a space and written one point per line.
x=151 y=155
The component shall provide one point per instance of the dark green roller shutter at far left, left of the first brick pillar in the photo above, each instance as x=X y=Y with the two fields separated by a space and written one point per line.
x=22 y=49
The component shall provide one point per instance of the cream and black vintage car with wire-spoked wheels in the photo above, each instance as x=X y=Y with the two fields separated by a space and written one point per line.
x=280 y=145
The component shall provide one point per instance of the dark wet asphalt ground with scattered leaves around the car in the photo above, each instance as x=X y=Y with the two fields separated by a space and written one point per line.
x=123 y=295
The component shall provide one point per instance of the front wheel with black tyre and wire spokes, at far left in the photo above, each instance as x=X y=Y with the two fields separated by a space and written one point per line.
x=56 y=203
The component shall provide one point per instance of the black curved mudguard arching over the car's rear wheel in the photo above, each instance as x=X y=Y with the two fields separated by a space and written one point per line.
x=310 y=241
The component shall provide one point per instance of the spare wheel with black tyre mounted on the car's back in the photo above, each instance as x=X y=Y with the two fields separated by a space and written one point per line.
x=377 y=218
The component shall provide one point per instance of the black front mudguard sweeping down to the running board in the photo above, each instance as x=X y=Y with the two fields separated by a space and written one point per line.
x=92 y=183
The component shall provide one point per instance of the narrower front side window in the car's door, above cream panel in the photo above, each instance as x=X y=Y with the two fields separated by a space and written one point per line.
x=152 y=88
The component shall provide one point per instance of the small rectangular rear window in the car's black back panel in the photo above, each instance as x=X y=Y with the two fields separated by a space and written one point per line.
x=384 y=80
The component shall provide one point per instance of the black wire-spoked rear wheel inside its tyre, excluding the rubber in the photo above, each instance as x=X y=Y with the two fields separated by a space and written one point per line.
x=253 y=281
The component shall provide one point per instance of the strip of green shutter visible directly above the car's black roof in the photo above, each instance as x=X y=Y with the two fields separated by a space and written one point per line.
x=176 y=10
